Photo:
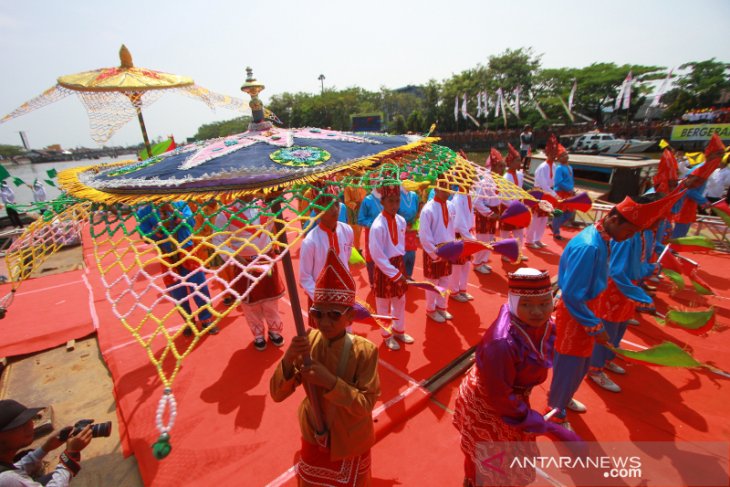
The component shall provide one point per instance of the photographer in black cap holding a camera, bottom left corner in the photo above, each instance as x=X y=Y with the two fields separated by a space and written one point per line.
x=16 y=432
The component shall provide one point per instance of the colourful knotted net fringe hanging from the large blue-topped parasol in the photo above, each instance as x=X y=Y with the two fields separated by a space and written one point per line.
x=171 y=262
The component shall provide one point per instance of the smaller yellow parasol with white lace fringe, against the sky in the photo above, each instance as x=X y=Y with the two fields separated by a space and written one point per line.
x=113 y=96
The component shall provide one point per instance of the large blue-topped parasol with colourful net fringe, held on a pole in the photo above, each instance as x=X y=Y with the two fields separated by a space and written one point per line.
x=228 y=209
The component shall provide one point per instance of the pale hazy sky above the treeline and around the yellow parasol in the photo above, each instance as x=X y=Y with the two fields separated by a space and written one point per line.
x=289 y=43
